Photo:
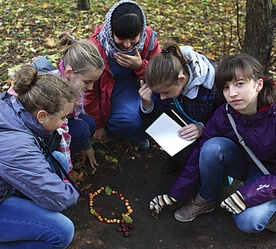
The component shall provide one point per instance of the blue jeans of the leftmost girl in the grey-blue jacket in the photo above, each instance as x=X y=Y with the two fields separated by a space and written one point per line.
x=25 y=225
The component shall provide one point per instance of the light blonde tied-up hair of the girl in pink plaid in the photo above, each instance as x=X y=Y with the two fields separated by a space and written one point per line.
x=81 y=56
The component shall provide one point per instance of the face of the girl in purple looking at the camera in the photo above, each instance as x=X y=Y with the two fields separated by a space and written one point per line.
x=242 y=94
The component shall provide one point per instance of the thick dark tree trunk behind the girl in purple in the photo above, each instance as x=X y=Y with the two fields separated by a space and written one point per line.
x=259 y=34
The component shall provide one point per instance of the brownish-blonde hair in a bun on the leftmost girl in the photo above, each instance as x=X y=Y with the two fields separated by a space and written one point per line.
x=42 y=92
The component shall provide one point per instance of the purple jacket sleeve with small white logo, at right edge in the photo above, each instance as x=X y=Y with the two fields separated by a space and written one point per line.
x=260 y=191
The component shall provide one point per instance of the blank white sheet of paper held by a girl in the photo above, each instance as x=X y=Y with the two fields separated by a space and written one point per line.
x=164 y=131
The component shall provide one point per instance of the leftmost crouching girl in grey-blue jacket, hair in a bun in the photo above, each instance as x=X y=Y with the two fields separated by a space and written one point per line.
x=32 y=195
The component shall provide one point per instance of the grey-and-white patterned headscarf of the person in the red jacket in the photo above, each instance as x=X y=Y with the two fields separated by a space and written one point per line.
x=106 y=36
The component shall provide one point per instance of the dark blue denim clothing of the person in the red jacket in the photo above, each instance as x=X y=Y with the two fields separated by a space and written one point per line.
x=124 y=120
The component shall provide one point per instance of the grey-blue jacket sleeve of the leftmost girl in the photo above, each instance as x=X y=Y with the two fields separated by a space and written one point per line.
x=28 y=171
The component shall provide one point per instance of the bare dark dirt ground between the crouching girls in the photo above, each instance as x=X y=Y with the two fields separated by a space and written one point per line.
x=138 y=176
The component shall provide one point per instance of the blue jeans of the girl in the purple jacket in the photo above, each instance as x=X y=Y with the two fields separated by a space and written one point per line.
x=221 y=157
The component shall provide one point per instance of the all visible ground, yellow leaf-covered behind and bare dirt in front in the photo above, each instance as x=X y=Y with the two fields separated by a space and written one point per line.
x=31 y=28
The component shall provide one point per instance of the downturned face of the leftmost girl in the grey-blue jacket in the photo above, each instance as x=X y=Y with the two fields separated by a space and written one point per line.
x=52 y=123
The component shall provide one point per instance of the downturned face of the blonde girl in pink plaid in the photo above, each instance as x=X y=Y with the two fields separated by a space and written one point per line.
x=86 y=81
